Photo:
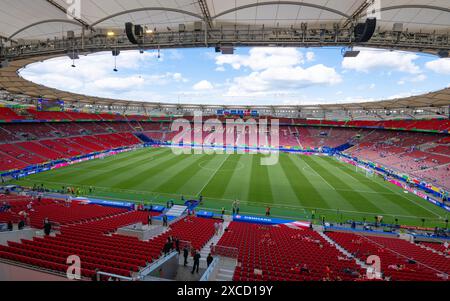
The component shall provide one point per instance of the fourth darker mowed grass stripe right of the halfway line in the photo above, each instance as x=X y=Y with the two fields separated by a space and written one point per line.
x=356 y=199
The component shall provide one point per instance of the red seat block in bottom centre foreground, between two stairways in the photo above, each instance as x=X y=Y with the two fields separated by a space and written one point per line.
x=268 y=253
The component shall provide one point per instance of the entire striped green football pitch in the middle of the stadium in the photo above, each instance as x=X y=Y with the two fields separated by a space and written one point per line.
x=298 y=186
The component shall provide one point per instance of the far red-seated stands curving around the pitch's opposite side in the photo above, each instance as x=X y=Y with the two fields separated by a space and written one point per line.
x=420 y=154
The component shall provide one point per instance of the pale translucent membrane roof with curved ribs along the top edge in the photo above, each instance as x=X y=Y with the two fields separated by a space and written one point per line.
x=42 y=19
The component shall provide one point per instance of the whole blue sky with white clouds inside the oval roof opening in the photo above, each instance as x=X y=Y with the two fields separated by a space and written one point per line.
x=277 y=76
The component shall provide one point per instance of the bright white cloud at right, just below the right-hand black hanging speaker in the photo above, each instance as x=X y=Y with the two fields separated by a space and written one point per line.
x=370 y=59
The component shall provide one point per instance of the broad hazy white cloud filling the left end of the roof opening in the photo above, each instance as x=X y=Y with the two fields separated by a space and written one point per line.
x=93 y=75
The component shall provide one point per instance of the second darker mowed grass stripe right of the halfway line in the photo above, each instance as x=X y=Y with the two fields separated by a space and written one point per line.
x=260 y=188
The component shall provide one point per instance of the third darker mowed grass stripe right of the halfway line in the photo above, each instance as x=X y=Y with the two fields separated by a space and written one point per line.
x=307 y=195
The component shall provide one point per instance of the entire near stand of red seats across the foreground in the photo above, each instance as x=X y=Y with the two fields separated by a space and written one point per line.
x=285 y=252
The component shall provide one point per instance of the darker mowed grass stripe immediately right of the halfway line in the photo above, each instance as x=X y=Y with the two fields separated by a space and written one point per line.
x=217 y=186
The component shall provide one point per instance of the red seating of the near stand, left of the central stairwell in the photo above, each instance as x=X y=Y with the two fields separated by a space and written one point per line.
x=86 y=230
